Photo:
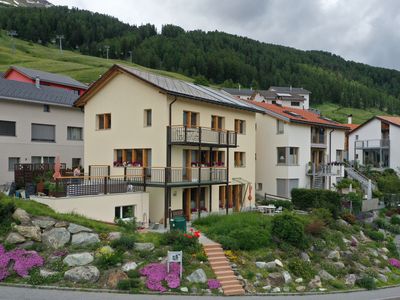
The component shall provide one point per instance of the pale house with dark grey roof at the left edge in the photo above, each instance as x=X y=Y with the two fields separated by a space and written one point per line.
x=38 y=123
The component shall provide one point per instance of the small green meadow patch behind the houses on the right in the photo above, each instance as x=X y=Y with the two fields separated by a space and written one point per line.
x=339 y=114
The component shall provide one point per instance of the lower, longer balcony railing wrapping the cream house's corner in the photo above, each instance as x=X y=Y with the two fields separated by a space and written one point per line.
x=175 y=177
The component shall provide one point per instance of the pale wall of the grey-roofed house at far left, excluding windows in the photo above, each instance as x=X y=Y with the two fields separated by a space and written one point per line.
x=24 y=114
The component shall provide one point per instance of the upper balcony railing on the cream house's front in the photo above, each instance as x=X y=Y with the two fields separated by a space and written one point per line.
x=184 y=135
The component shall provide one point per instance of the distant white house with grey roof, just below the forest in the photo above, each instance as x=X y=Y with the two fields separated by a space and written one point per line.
x=285 y=96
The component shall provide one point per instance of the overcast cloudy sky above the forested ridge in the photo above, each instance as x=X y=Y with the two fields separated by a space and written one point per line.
x=361 y=30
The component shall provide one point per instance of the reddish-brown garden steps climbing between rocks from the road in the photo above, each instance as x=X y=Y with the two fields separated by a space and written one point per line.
x=222 y=269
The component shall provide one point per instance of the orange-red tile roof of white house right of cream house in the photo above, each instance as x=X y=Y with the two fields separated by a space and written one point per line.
x=297 y=115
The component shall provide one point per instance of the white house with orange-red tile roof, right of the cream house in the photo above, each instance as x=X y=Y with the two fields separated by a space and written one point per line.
x=297 y=148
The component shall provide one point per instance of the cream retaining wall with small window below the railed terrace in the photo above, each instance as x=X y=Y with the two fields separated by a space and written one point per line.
x=99 y=207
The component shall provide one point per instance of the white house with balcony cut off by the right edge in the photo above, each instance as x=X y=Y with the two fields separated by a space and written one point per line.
x=374 y=143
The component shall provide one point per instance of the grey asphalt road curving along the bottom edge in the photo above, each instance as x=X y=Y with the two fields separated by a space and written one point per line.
x=17 y=293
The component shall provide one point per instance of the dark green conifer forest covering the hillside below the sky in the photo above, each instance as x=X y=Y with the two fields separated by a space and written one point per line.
x=220 y=58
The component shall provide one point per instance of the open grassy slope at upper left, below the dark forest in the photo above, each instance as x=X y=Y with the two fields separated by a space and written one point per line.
x=81 y=67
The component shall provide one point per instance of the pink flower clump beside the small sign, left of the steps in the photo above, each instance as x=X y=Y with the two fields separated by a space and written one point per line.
x=157 y=277
